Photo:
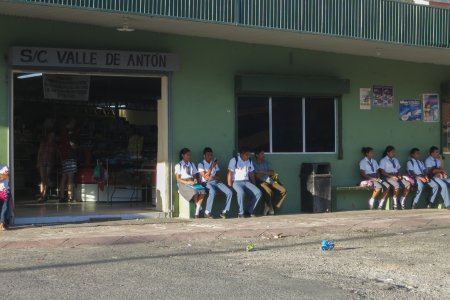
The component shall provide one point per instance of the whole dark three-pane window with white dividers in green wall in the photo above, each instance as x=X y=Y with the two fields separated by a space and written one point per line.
x=287 y=124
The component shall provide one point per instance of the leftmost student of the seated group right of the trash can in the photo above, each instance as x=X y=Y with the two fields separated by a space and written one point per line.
x=368 y=168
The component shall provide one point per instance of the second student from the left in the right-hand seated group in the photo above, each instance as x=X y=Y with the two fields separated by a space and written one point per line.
x=390 y=170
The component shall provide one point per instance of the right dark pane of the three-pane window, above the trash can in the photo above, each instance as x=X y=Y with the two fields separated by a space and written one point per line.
x=320 y=125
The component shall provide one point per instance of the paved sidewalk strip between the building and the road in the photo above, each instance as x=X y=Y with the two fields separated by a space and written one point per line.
x=144 y=231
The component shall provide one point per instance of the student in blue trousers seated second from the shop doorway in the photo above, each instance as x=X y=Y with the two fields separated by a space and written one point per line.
x=209 y=172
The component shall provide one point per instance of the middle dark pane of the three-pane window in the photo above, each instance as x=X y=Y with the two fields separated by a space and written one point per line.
x=287 y=124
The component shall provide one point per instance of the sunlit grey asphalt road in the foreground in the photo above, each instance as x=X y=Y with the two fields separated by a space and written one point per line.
x=366 y=264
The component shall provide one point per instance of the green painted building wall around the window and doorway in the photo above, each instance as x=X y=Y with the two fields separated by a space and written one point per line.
x=203 y=98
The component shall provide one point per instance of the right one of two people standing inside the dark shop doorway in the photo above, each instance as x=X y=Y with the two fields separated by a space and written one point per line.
x=67 y=151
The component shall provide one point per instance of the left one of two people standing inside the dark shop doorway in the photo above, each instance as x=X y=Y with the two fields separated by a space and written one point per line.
x=45 y=162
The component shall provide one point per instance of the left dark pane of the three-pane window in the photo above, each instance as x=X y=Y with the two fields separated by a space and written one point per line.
x=253 y=122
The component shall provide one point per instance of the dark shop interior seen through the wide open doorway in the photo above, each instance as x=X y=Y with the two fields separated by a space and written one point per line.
x=113 y=140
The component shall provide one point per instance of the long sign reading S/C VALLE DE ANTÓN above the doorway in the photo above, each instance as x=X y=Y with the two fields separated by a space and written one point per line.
x=92 y=59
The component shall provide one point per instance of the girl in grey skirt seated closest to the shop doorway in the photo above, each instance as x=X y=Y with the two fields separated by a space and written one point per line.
x=186 y=172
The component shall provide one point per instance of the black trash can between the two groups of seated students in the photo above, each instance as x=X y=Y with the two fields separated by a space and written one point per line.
x=315 y=184
